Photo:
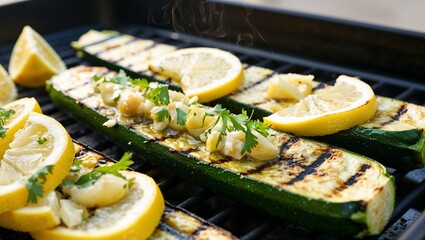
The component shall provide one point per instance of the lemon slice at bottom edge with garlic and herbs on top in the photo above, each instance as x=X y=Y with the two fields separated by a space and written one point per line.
x=135 y=216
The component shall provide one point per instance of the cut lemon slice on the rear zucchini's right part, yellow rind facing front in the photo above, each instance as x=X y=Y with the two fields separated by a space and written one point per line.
x=348 y=103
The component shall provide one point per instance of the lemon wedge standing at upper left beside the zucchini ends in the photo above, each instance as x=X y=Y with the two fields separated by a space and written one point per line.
x=33 y=61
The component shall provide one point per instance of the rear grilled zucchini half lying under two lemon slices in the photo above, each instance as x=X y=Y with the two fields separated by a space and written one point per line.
x=394 y=136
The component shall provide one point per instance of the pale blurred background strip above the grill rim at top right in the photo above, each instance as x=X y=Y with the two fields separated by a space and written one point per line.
x=408 y=15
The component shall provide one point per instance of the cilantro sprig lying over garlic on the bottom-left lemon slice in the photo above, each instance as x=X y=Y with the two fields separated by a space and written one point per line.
x=90 y=178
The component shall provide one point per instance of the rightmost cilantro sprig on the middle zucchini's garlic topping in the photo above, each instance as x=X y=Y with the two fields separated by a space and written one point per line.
x=240 y=122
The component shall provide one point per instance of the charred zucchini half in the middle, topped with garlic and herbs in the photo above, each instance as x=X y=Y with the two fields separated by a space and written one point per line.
x=310 y=183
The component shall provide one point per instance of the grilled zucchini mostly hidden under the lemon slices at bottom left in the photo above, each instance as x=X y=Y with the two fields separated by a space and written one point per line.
x=176 y=223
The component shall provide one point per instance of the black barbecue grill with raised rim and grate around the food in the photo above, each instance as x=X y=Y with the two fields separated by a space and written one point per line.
x=391 y=61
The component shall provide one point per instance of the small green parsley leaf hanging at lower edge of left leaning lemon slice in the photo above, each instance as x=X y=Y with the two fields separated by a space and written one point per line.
x=36 y=182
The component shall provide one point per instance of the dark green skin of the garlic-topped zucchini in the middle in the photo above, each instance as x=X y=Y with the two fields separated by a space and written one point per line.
x=347 y=218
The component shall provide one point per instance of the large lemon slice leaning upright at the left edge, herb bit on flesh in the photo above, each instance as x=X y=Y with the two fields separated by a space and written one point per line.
x=40 y=143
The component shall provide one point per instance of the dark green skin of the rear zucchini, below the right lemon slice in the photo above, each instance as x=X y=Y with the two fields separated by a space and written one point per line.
x=398 y=149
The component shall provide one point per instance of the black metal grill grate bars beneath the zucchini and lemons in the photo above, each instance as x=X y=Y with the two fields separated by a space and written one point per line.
x=242 y=221
